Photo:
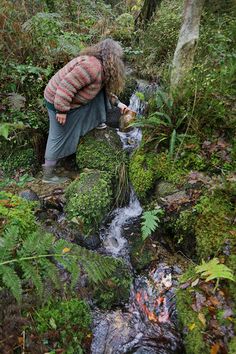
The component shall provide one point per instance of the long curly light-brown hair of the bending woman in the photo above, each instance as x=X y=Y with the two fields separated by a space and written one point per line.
x=110 y=53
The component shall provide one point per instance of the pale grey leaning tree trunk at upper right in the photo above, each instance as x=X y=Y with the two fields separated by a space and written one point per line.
x=188 y=38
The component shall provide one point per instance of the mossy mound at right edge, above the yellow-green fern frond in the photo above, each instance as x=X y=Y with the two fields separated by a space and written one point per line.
x=213 y=224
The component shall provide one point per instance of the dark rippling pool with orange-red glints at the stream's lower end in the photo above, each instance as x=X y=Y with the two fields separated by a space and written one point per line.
x=147 y=326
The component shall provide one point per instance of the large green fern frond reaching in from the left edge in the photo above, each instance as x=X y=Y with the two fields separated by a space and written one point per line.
x=37 y=257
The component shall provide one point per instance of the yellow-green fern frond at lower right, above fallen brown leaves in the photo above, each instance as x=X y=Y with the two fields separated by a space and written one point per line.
x=214 y=270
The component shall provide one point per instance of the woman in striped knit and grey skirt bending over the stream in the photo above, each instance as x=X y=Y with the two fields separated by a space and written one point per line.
x=77 y=98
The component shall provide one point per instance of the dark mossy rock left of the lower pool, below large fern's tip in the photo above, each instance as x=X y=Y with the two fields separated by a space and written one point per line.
x=114 y=290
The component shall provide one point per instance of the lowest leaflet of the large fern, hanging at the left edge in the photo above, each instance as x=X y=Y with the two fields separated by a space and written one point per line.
x=12 y=281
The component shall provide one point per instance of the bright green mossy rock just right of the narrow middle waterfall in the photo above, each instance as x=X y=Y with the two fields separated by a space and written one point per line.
x=142 y=172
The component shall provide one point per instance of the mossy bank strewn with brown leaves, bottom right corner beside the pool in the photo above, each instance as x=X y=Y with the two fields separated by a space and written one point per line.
x=206 y=313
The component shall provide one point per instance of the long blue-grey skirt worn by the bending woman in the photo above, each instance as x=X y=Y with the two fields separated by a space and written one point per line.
x=63 y=139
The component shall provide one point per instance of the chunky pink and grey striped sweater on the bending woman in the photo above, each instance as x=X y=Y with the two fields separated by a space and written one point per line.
x=75 y=84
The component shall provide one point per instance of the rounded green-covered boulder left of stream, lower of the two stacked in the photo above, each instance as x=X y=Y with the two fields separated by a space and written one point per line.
x=88 y=200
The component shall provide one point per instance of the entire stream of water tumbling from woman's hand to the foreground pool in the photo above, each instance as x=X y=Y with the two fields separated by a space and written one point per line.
x=148 y=325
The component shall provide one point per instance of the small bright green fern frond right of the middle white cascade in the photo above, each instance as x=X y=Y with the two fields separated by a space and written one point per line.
x=150 y=221
